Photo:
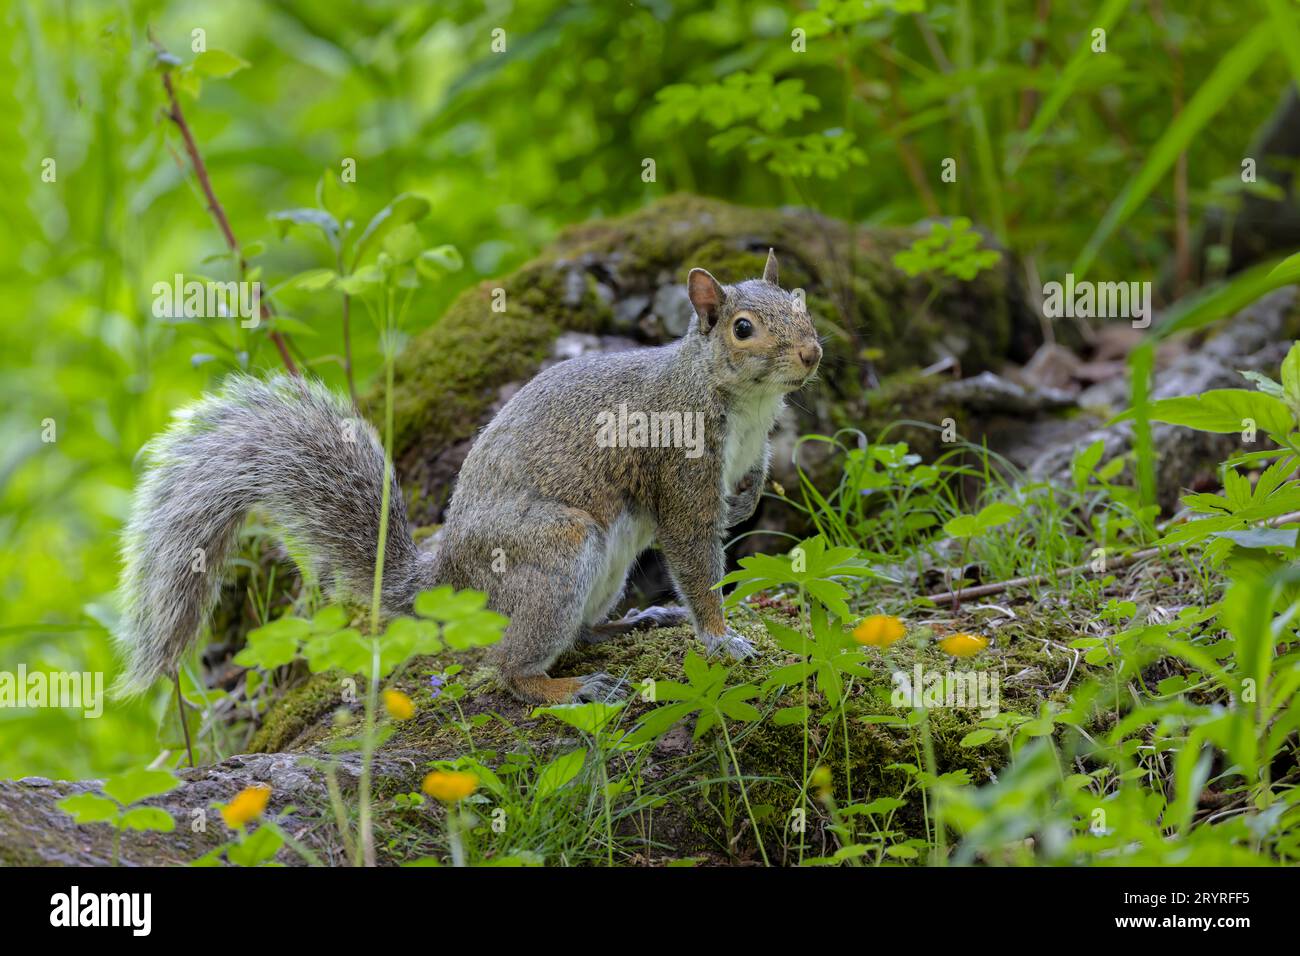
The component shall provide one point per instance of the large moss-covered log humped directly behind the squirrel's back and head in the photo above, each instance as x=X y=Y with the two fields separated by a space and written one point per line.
x=621 y=283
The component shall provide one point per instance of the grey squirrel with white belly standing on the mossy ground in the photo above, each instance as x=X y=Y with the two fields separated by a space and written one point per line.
x=545 y=518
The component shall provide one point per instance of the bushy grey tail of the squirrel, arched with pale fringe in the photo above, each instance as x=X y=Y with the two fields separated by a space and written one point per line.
x=287 y=447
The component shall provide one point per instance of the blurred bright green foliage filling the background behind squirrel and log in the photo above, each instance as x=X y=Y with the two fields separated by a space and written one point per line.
x=855 y=115
